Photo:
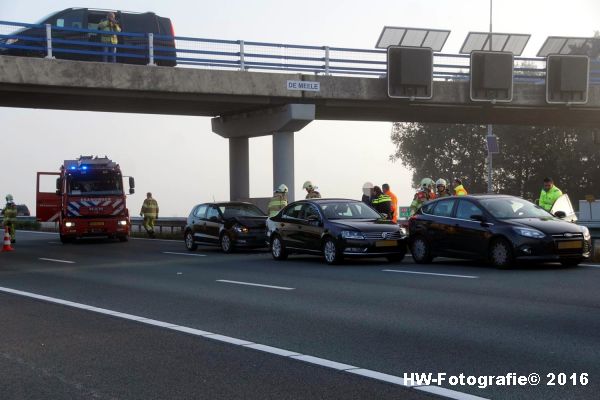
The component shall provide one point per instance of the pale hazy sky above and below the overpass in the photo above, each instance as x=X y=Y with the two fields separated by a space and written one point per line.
x=183 y=163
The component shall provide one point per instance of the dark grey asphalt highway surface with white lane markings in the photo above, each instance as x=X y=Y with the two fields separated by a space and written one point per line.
x=148 y=320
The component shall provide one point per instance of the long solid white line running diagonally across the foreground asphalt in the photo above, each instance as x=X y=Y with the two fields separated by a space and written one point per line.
x=396 y=380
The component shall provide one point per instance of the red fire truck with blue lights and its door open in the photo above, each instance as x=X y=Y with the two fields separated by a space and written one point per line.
x=89 y=200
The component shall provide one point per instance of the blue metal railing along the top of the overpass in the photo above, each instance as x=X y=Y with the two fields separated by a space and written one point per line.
x=153 y=49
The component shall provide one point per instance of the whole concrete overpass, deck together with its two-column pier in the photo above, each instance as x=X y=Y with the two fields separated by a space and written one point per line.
x=247 y=104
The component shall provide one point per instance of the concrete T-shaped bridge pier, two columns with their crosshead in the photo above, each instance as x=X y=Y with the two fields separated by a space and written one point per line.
x=281 y=122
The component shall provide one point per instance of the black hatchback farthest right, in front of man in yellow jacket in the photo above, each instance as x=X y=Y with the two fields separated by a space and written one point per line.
x=498 y=228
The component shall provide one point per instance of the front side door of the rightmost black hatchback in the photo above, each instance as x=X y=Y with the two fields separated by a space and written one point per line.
x=469 y=236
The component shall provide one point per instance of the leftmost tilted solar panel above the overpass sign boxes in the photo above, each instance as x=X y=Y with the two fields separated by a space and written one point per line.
x=412 y=37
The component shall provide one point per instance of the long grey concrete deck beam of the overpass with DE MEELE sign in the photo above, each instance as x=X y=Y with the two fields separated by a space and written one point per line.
x=89 y=86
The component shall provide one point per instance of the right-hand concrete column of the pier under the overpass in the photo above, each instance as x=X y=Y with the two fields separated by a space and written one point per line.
x=283 y=161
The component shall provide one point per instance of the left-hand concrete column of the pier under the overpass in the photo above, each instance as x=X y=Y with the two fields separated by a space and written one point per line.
x=239 y=168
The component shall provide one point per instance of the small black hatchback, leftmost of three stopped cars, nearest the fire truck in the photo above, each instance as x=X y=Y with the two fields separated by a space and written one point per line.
x=228 y=225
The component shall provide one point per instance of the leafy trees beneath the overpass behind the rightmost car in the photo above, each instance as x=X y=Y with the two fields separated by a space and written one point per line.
x=528 y=154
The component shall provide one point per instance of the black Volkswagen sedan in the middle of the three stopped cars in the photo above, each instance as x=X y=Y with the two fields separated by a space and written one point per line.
x=334 y=228
